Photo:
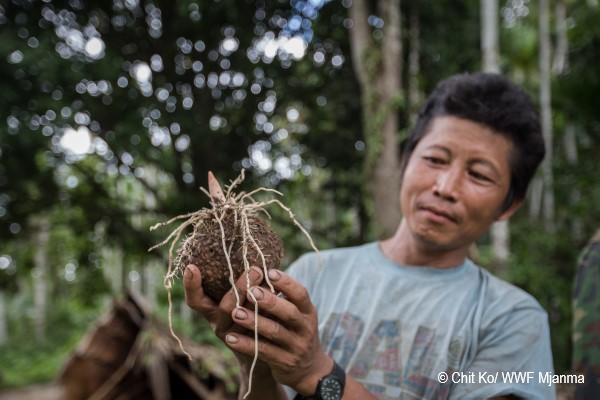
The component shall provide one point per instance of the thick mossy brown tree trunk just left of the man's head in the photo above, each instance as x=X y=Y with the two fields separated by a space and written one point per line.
x=378 y=65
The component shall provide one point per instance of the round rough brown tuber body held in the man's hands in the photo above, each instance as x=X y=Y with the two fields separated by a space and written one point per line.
x=204 y=248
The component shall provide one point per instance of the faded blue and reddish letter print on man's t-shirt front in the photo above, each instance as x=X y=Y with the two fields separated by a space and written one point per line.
x=379 y=357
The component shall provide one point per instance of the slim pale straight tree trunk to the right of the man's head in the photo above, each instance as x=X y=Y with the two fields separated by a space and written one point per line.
x=546 y=113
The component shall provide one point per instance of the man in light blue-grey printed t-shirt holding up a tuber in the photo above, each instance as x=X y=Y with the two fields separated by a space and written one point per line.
x=410 y=317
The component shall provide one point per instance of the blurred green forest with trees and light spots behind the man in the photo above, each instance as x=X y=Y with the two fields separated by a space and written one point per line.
x=112 y=112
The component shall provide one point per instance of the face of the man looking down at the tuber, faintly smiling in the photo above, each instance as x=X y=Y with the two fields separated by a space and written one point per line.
x=455 y=182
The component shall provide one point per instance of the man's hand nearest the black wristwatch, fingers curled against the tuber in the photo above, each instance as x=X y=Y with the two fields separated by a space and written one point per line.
x=289 y=340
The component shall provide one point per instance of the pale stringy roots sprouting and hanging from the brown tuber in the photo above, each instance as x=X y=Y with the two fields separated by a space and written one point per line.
x=243 y=206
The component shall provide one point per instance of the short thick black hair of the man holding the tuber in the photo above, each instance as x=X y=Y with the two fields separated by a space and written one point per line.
x=494 y=101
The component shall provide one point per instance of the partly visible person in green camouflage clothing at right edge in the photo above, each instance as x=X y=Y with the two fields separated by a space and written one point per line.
x=586 y=321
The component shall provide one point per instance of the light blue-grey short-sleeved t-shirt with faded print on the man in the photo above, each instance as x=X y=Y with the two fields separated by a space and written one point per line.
x=396 y=328
